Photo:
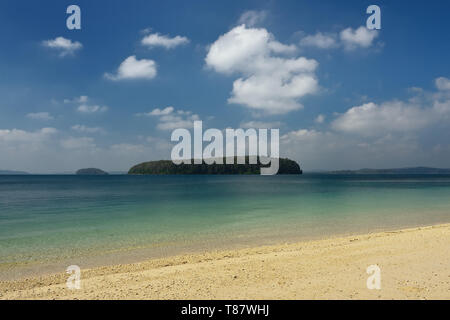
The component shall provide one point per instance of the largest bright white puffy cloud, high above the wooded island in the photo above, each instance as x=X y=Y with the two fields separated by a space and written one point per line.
x=268 y=80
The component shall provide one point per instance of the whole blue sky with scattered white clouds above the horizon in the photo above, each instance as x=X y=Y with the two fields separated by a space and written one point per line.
x=110 y=94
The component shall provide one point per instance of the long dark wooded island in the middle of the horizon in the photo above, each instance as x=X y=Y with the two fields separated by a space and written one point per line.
x=287 y=166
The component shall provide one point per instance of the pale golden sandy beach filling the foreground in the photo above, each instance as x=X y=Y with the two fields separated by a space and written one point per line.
x=414 y=263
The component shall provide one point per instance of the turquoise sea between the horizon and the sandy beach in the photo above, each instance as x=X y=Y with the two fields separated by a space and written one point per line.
x=55 y=218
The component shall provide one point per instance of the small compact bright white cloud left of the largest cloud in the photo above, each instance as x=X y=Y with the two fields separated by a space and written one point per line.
x=131 y=68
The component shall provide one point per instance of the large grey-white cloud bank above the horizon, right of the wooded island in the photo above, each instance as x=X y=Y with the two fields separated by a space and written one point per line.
x=393 y=133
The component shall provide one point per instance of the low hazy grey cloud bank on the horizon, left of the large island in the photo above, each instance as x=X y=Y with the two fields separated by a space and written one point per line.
x=50 y=151
